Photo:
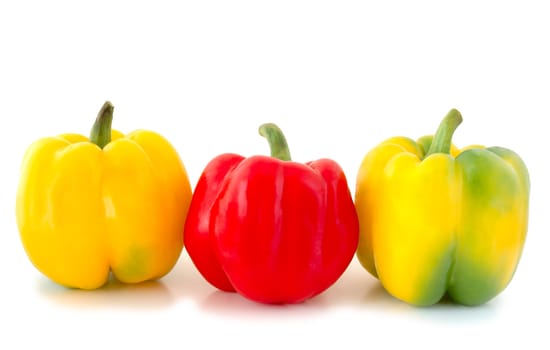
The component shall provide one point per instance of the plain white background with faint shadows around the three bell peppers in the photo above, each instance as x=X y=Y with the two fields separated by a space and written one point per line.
x=338 y=77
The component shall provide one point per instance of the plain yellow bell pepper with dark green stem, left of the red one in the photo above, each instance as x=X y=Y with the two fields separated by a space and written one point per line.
x=117 y=203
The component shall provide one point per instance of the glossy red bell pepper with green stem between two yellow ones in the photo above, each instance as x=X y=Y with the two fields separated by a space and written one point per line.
x=273 y=230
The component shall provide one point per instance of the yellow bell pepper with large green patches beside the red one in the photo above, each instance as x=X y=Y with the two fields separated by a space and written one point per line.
x=436 y=220
